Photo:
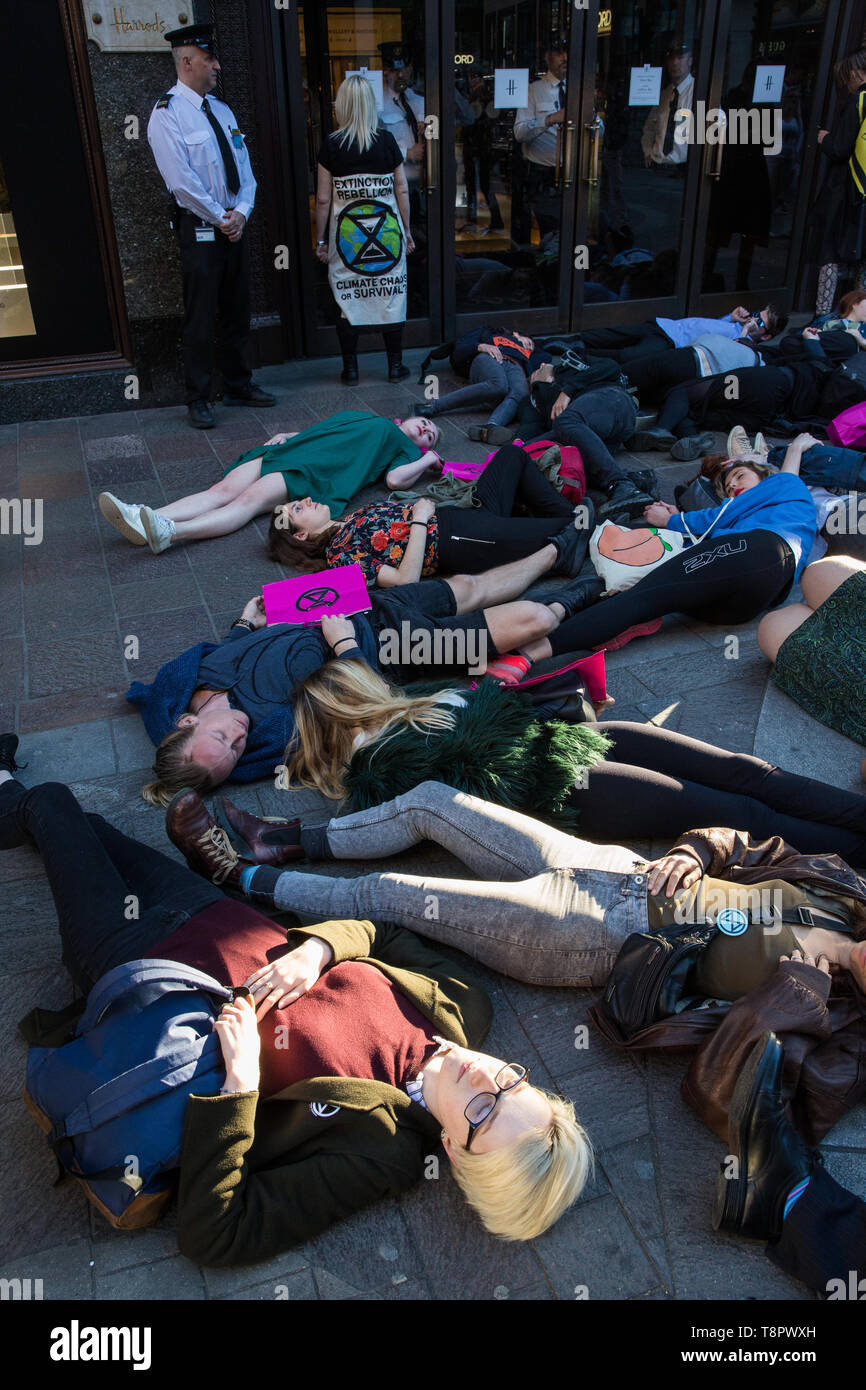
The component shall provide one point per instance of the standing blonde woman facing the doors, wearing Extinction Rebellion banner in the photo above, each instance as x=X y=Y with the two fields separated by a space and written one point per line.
x=363 y=193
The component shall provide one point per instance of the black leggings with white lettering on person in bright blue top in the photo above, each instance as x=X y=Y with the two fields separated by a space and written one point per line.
x=729 y=579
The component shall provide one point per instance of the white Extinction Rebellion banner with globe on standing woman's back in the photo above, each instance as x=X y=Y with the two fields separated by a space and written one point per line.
x=368 y=251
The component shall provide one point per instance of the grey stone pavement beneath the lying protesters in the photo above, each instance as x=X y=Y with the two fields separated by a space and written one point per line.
x=67 y=610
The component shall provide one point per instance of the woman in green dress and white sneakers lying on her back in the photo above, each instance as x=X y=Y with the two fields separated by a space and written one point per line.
x=333 y=461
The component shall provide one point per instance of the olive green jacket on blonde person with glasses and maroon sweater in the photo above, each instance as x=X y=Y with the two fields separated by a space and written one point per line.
x=259 y=1177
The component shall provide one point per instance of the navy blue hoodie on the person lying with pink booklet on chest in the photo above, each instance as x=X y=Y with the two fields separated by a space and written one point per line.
x=168 y=697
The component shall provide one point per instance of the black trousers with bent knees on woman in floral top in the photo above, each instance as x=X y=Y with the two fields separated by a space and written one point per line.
x=477 y=539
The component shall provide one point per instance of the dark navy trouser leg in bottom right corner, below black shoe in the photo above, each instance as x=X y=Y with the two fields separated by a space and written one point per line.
x=825 y=1239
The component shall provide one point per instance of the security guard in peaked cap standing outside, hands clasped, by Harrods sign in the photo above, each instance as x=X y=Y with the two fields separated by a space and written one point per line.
x=201 y=154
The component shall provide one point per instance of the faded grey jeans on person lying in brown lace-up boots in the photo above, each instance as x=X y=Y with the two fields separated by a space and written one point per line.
x=547 y=908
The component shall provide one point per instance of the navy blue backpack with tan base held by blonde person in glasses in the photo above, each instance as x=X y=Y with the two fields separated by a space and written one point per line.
x=112 y=1102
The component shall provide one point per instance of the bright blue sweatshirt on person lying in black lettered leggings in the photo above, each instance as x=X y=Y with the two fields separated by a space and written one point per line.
x=781 y=504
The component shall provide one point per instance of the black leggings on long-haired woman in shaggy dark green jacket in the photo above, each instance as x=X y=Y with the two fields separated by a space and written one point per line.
x=657 y=785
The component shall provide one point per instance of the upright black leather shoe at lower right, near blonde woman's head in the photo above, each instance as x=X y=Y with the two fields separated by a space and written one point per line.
x=771 y=1157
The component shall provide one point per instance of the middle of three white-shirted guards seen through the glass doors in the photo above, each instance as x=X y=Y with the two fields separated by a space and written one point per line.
x=537 y=129
